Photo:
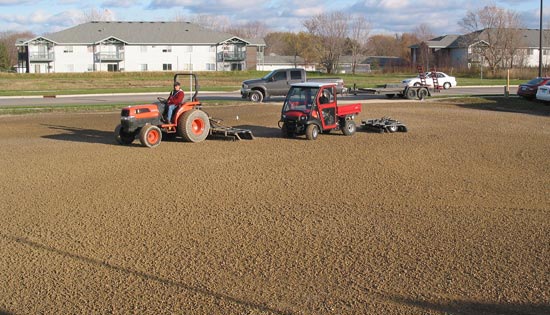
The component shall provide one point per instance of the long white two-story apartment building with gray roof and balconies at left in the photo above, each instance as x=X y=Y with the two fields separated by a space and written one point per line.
x=138 y=46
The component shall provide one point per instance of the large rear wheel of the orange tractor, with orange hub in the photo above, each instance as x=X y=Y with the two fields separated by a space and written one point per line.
x=193 y=126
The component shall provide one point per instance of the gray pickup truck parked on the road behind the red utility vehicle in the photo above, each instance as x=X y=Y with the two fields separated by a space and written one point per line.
x=277 y=83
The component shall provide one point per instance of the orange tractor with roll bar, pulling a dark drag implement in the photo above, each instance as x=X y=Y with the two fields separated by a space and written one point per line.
x=188 y=121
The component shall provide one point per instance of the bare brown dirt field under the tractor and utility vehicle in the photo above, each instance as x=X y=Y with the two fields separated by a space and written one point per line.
x=450 y=218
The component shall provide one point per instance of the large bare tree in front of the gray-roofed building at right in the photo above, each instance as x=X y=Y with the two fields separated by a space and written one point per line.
x=494 y=38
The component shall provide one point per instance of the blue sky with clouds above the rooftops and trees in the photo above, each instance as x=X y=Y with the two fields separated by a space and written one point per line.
x=386 y=16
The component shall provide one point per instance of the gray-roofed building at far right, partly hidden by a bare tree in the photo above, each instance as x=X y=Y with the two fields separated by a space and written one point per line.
x=462 y=51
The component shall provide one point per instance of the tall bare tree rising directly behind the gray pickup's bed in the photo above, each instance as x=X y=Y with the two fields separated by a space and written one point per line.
x=331 y=29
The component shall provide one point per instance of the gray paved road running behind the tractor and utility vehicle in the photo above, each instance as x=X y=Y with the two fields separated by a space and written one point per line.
x=125 y=99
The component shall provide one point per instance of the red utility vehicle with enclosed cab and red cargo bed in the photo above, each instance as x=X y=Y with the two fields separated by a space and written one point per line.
x=311 y=108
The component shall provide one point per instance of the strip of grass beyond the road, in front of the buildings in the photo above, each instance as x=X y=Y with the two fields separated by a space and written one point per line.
x=12 y=84
